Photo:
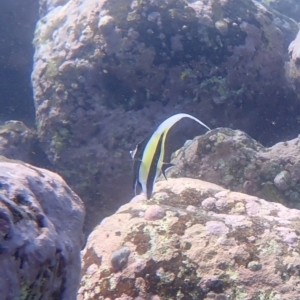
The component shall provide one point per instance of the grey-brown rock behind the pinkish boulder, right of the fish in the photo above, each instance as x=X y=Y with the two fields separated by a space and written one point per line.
x=234 y=160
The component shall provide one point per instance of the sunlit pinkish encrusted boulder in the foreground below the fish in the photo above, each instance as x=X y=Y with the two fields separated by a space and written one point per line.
x=242 y=247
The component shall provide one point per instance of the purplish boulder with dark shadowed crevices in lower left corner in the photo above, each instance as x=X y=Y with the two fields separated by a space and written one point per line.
x=41 y=222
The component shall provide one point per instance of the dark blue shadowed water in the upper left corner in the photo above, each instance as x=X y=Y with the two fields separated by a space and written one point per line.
x=17 y=21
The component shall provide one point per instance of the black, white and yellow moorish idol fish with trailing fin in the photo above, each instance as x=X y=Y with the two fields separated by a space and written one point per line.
x=148 y=156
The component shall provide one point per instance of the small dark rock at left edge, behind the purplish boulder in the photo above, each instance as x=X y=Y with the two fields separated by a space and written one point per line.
x=20 y=142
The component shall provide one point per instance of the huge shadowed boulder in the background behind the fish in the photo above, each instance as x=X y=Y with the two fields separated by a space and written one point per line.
x=107 y=72
